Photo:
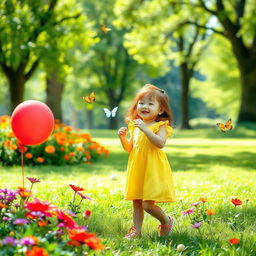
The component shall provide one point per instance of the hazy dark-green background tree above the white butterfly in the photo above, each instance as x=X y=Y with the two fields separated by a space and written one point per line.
x=109 y=67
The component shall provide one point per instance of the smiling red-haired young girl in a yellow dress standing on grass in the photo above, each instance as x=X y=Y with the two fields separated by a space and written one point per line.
x=149 y=177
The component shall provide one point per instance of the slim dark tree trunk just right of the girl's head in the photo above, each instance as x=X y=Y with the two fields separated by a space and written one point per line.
x=185 y=79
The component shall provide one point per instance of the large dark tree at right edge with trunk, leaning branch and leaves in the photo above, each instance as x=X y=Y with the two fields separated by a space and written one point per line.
x=237 y=23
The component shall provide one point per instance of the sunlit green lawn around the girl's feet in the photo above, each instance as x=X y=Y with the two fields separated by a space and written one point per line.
x=205 y=163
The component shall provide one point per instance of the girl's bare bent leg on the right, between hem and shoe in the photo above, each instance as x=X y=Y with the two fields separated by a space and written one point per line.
x=155 y=211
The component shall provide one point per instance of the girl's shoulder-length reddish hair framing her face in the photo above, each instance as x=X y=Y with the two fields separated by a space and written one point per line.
x=153 y=92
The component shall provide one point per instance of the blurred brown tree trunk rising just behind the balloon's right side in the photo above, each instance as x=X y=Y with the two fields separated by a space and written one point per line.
x=54 y=92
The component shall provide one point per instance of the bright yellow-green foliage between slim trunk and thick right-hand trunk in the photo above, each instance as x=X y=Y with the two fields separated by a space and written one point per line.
x=221 y=90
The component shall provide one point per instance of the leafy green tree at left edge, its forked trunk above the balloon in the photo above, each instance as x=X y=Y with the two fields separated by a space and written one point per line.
x=24 y=30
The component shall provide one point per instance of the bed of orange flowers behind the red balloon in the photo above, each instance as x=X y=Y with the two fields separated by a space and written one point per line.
x=64 y=146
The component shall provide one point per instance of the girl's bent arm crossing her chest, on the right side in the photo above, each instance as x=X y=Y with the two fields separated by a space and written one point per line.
x=158 y=139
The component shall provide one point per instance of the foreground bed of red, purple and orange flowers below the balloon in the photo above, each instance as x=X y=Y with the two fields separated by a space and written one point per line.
x=34 y=227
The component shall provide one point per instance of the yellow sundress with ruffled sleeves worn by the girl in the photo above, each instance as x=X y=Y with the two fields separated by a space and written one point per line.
x=149 y=175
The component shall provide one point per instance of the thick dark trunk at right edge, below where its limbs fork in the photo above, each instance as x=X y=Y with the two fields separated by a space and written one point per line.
x=247 y=111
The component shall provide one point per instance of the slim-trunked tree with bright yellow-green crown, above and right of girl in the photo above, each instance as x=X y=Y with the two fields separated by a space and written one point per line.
x=156 y=38
